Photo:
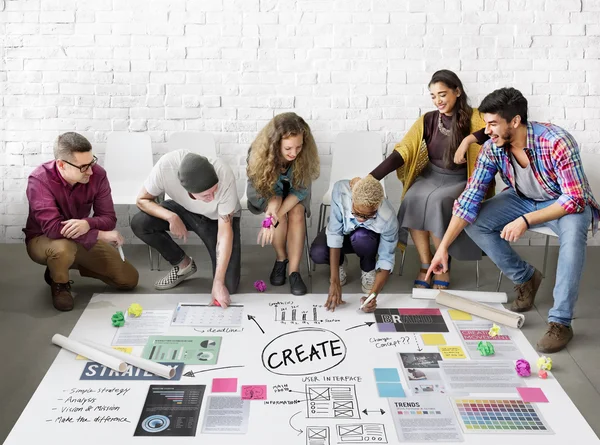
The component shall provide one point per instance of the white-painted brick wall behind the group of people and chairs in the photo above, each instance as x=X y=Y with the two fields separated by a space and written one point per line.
x=226 y=66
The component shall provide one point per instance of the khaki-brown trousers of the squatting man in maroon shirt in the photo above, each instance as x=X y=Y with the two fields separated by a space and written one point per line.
x=102 y=261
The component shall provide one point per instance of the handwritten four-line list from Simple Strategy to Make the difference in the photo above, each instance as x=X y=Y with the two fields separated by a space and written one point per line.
x=91 y=405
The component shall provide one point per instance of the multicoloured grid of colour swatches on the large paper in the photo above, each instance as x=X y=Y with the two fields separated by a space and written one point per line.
x=500 y=416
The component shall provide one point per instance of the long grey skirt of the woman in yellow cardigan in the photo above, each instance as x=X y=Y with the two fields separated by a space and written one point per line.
x=428 y=204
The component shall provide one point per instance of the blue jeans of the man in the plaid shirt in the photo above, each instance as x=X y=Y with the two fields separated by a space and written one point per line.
x=572 y=234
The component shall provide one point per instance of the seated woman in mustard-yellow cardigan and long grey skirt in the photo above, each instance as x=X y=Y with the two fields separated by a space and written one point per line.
x=425 y=163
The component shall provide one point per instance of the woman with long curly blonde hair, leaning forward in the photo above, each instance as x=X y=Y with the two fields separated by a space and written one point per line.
x=282 y=163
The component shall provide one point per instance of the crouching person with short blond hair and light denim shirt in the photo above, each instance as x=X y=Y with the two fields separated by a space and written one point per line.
x=362 y=221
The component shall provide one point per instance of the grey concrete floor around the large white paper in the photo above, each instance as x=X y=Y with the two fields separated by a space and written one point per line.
x=28 y=320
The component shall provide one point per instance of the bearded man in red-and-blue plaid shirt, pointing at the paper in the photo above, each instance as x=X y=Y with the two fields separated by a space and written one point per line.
x=547 y=187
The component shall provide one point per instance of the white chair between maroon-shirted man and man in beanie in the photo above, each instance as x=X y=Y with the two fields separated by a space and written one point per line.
x=128 y=162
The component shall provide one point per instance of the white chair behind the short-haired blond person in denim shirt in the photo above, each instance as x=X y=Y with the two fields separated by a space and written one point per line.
x=353 y=154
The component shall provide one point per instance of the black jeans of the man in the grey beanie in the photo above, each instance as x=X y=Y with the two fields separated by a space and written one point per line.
x=153 y=231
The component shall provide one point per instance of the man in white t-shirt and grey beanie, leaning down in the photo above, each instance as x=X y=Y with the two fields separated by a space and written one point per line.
x=203 y=199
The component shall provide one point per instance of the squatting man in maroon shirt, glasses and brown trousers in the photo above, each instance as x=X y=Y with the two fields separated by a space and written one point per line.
x=60 y=233
